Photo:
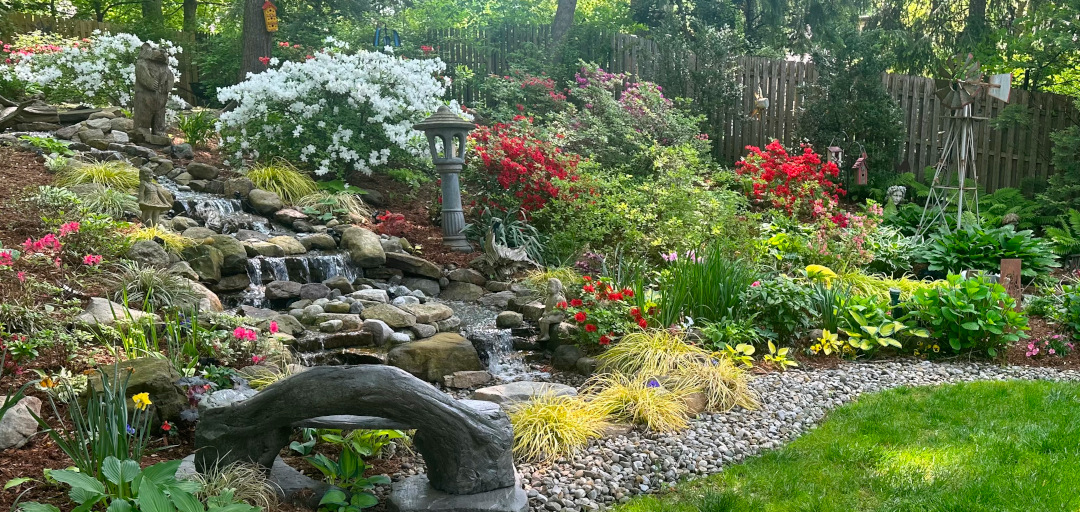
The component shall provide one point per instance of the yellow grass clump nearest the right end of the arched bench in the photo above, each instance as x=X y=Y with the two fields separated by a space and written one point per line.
x=549 y=427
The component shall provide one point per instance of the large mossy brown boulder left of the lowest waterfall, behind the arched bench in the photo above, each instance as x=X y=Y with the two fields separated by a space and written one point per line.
x=434 y=358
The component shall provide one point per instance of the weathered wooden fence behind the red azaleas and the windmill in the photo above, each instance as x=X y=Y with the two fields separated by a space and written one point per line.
x=1006 y=157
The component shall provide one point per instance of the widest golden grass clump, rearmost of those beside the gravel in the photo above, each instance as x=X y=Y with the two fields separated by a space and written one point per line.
x=667 y=356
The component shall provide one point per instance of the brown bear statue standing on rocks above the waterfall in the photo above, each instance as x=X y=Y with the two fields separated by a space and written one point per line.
x=154 y=82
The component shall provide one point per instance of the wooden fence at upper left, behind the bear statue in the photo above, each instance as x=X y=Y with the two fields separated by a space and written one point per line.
x=20 y=23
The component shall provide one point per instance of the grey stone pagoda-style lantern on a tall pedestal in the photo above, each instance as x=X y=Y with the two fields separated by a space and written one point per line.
x=450 y=158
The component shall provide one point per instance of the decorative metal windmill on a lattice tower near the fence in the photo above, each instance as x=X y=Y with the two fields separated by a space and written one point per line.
x=956 y=179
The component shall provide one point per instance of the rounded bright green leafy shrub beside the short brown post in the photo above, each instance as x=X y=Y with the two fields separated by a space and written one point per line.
x=971 y=315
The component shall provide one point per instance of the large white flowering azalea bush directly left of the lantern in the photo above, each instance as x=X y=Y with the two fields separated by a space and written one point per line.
x=335 y=112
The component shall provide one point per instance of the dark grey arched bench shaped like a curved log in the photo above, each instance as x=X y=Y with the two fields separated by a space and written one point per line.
x=468 y=451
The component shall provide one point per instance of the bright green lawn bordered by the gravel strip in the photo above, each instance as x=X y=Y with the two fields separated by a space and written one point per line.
x=985 y=447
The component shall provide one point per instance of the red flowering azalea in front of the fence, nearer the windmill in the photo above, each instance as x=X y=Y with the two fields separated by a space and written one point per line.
x=801 y=185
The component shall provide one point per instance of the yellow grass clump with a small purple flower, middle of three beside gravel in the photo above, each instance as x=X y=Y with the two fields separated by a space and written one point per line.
x=645 y=401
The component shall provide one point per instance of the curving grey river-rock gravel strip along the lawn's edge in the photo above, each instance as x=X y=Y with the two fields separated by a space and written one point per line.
x=614 y=470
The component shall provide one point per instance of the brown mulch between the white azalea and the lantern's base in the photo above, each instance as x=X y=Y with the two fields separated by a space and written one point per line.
x=416 y=206
